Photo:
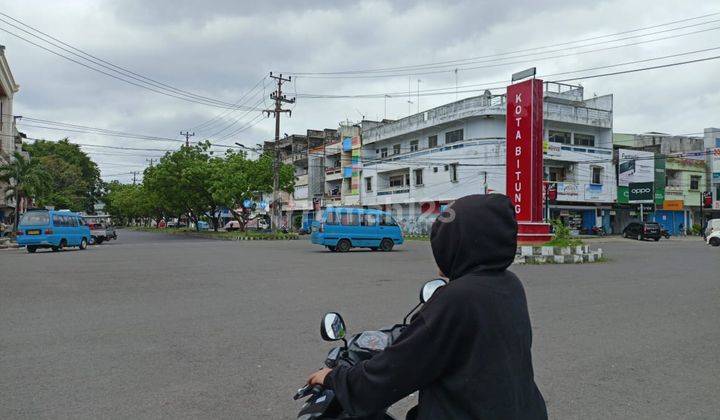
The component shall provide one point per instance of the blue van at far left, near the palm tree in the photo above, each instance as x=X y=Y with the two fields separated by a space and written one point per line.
x=52 y=229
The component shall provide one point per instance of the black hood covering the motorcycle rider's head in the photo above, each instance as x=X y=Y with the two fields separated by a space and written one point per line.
x=476 y=233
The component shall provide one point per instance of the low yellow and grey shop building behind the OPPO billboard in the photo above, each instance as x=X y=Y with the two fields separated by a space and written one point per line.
x=679 y=181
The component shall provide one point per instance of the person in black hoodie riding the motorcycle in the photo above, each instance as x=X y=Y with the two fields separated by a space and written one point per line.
x=468 y=350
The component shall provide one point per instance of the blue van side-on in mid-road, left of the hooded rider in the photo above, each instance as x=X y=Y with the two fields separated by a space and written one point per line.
x=340 y=229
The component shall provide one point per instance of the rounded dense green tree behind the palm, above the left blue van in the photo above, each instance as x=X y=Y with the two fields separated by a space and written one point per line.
x=76 y=178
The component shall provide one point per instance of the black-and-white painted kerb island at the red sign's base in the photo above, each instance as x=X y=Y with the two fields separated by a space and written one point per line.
x=544 y=254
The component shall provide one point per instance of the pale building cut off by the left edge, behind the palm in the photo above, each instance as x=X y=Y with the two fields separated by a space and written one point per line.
x=10 y=138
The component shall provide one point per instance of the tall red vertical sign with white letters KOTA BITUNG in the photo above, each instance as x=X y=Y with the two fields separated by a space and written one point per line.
x=524 y=149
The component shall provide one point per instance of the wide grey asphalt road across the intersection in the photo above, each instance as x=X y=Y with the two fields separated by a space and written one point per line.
x=161 y=326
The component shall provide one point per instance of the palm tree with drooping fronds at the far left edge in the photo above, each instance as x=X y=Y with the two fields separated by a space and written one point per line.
x=24 y=177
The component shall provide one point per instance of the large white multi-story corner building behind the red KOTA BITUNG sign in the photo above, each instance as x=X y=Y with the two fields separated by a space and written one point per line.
x=415 y=165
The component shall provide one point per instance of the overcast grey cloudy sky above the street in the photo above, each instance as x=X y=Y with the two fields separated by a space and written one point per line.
x=222 y=49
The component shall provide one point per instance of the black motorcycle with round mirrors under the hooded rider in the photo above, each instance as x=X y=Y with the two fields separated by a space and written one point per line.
x=322 y=403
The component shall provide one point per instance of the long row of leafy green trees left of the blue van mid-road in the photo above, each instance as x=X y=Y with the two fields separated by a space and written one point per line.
x=194 y=183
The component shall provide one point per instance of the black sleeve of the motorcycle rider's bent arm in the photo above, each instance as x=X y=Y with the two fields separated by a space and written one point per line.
x=417 y=358
